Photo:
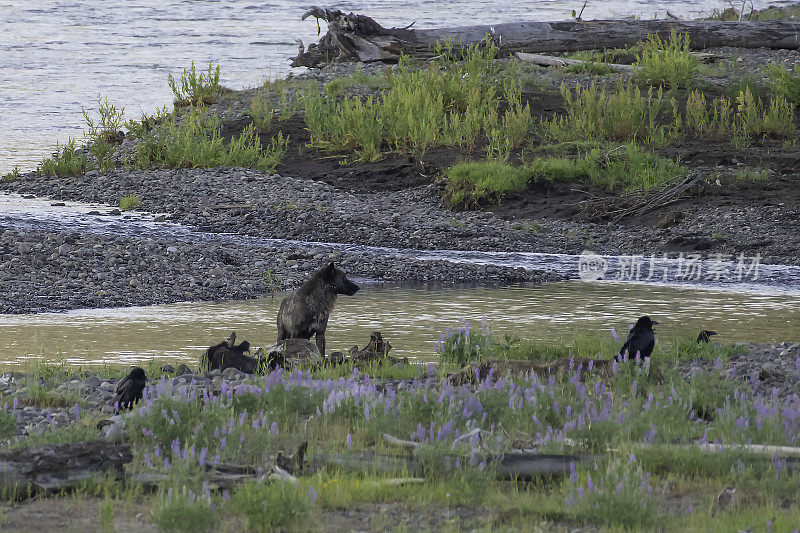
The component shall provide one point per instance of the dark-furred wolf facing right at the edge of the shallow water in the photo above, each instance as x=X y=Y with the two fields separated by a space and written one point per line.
x=306 y=312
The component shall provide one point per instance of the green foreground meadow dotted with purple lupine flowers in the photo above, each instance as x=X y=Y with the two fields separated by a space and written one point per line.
x=639 y=412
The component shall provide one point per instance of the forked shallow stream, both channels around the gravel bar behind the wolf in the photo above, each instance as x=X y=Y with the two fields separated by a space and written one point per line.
x=763 y=308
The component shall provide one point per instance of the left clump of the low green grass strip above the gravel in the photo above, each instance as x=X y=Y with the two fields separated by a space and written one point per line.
x=470 y=184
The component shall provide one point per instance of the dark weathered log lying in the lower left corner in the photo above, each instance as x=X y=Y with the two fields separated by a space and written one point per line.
x=60 y=466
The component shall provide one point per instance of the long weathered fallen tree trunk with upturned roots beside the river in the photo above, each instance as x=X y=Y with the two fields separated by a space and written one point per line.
x=356 y=37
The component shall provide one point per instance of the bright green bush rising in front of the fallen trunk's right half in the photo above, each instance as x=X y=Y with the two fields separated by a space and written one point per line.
x=666 y=62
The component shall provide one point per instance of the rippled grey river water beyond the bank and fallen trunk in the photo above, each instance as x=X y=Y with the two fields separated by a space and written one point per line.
x=56 y=57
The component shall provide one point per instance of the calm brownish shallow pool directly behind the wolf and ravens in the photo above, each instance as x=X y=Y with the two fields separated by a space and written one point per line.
x=410 y=318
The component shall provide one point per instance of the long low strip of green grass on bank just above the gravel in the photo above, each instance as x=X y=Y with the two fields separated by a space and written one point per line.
x=625 y=167
